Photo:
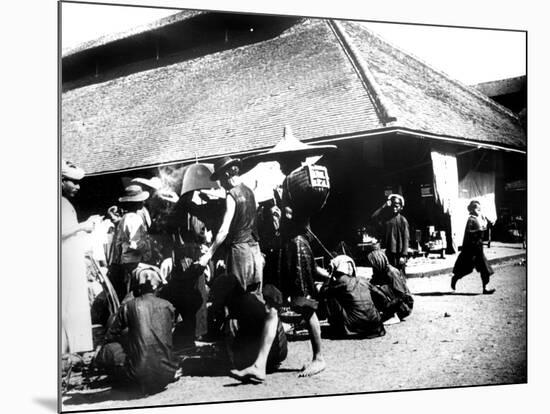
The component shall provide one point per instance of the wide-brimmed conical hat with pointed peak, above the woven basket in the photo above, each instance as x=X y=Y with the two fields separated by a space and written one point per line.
x=288 y=146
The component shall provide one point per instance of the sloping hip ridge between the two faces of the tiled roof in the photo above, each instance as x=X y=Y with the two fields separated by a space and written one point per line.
x=383 y=106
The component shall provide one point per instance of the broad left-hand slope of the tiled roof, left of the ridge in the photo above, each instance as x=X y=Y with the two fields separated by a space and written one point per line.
x=226 y=102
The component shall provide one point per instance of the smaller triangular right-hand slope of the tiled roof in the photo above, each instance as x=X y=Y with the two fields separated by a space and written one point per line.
x=427 y=100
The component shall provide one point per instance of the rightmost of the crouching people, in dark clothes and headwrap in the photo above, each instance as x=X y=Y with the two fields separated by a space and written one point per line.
x=389 y=289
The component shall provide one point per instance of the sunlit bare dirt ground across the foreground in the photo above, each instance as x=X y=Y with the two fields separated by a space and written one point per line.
x=451 y=339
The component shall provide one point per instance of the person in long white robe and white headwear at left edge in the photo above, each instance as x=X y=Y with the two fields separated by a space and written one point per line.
x=75 y=309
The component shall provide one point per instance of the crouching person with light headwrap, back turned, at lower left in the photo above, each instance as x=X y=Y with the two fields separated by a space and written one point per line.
x=138 y=343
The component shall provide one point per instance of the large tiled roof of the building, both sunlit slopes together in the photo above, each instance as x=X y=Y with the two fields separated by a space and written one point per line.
x=239 y=100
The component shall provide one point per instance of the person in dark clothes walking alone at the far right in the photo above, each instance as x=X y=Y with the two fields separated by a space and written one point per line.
x=472 y=256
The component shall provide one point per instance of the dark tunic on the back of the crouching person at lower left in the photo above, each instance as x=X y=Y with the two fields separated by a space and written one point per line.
x=148 y=358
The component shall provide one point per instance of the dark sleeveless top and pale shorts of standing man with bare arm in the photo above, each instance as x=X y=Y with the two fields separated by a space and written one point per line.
x=244 y=259
